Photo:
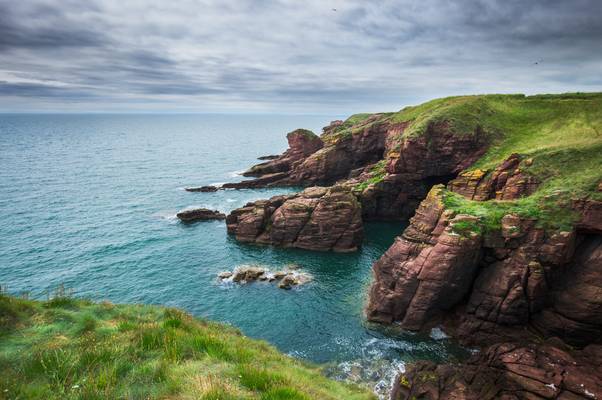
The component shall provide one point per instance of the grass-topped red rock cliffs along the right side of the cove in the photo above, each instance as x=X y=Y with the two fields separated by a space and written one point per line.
x=504 y=245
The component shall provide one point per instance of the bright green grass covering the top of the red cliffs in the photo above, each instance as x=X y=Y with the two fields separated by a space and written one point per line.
x=561 y=134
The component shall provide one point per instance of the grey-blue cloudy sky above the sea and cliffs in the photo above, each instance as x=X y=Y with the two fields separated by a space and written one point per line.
x=289 y=56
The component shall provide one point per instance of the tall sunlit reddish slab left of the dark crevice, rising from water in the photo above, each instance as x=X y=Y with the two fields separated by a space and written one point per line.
x=429 y=269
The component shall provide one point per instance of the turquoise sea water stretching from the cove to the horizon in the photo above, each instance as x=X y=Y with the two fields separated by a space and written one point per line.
x=89 y=201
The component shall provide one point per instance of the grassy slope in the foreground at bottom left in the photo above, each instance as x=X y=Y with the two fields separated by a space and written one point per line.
x=76 y=349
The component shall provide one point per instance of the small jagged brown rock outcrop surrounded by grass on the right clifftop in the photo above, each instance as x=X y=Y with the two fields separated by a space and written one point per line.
x=507 y=182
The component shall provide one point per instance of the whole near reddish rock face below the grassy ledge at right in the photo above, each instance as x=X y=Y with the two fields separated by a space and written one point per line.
x=496 y=282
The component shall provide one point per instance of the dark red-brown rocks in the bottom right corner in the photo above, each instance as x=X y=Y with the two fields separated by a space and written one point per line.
x=508 y=371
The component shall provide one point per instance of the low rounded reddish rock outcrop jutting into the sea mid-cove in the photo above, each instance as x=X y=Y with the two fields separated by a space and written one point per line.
x=316 y=219
